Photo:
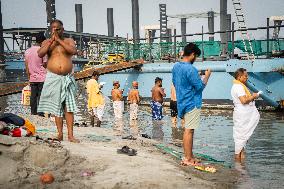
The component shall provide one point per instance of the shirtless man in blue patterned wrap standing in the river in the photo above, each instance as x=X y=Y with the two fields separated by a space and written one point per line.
x=158 y=93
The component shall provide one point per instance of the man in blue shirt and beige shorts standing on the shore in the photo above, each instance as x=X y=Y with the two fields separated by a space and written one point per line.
x=189 y=87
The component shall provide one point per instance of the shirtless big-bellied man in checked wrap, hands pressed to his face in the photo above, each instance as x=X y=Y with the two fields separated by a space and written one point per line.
x=59 y=89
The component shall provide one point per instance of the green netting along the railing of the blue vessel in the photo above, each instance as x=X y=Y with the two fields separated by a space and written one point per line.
x=159 y=51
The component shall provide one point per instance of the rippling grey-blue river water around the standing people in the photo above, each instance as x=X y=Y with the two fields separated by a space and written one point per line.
x=263 y=167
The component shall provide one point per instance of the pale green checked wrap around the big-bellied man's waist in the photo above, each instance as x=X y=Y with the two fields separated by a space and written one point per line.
x=58 y=91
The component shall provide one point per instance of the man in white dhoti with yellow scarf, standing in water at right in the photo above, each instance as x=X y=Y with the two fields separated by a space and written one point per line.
x=245 y=116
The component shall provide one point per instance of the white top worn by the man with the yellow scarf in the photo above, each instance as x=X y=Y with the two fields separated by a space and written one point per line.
x=236 y=92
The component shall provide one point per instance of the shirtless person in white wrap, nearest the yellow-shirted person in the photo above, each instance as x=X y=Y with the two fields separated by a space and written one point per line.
x=117 y=98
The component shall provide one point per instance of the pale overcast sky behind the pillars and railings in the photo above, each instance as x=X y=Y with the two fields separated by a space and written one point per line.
x=31 y=13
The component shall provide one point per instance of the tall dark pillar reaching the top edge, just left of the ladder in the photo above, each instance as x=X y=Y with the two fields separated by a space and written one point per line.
x=223 y=26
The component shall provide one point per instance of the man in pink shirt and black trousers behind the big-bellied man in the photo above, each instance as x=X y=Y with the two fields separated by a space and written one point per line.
x=36 y=71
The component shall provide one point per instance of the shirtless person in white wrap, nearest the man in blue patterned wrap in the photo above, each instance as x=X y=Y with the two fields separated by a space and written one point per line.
x=134 y=99
